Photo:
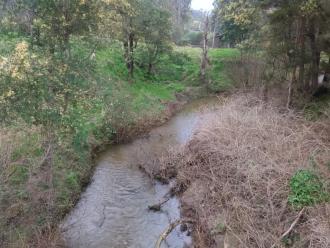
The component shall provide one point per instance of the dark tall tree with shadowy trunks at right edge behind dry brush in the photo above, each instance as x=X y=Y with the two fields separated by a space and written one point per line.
x=298 y=31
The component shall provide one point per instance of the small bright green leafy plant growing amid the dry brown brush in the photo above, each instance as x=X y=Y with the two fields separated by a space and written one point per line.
x=307 y=189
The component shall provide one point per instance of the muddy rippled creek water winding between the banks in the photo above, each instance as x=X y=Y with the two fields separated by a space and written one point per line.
x=113 y=211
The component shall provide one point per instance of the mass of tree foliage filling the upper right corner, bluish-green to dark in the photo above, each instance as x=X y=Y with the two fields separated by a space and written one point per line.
x=292 y=36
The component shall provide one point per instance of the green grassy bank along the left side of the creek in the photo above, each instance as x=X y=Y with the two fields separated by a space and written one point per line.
x=40 y=182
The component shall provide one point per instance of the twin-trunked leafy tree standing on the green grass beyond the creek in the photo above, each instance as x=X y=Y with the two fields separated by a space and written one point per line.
x=139 y=21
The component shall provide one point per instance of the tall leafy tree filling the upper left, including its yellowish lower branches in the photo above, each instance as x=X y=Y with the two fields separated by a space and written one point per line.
x=41 y=78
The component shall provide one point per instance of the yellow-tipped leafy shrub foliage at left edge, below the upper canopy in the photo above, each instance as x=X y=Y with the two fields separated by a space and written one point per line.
x=38 y=89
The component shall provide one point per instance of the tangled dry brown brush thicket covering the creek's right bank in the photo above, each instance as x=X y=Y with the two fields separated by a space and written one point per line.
x=235 y=173
